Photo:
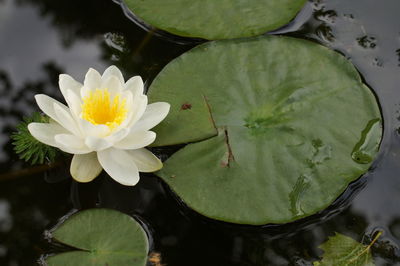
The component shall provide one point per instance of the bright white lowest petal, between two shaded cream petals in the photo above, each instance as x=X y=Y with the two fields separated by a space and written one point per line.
x=119 y=165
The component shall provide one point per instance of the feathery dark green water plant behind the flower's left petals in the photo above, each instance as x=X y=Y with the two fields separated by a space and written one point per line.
x=27 y=147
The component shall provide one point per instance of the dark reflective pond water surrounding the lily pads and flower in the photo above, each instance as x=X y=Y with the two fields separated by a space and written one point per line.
x=41 y=38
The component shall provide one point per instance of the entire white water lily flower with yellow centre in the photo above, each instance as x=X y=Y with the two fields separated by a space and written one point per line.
x=106 y=126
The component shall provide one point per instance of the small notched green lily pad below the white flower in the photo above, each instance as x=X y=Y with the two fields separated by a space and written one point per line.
x=103 y=237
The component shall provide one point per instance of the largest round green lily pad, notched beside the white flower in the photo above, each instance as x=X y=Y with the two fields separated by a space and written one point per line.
x=291 y=126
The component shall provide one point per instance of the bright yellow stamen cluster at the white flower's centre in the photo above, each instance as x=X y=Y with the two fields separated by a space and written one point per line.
x=100 y=108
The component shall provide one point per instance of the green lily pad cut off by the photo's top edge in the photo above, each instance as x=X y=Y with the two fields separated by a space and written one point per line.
x=216 y=19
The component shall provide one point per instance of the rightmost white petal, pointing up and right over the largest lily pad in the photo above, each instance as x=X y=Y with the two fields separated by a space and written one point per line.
x=154 y=114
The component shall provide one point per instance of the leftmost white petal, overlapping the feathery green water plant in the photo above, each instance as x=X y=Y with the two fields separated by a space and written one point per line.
x=45 y=132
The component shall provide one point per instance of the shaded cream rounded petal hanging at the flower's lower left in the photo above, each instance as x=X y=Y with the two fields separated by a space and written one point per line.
x=85 y=167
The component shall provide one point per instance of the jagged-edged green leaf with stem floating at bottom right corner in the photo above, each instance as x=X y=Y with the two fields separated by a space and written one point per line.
x=342 y=250
